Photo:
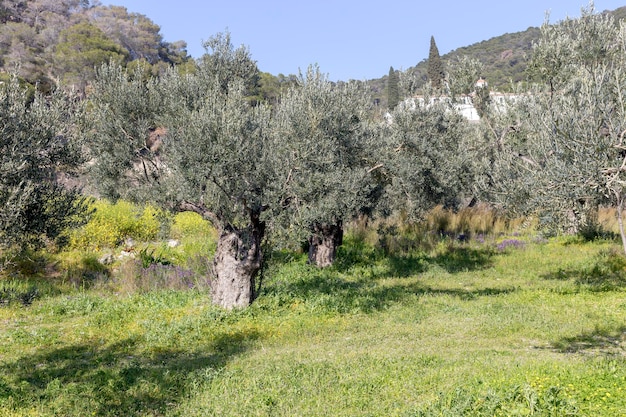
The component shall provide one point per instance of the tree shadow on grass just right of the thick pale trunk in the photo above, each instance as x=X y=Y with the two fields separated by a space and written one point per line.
x=355 y=283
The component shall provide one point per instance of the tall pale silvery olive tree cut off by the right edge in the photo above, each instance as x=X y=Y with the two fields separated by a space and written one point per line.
x=572 y=121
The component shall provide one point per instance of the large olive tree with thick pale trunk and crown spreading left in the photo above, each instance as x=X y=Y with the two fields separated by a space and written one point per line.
x=214 y=157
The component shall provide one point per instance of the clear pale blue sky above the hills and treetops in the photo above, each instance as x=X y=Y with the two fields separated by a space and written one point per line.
x=348 y=39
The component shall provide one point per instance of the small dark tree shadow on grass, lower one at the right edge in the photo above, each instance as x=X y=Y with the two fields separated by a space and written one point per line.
x=601 y=341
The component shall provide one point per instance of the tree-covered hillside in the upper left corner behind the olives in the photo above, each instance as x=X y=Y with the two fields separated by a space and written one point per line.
x=59 y=42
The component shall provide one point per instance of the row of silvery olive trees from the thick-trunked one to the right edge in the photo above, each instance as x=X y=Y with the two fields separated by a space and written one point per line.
x=319 y=154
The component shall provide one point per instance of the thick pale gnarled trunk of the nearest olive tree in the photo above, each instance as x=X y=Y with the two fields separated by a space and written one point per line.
x=237 y=261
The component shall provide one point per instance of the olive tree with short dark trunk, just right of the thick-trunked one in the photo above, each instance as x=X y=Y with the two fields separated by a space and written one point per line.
x=323 y=143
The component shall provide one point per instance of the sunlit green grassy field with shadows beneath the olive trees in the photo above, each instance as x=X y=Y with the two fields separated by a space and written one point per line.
x=518 y=326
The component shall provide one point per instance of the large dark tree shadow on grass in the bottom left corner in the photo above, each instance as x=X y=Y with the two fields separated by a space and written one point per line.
x=113 y=380
